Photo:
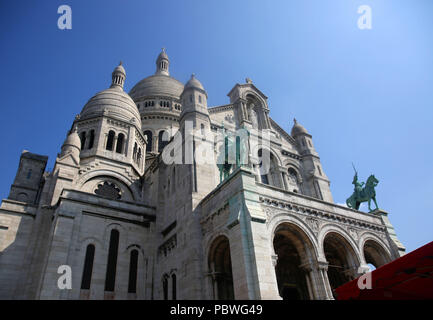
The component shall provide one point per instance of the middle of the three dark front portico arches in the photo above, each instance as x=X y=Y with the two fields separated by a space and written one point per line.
x=342 y=261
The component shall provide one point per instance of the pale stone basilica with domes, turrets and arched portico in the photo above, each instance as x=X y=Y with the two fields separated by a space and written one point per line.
x=131 y=225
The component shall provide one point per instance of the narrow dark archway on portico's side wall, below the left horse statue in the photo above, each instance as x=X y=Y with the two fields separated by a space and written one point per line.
x=220 y=266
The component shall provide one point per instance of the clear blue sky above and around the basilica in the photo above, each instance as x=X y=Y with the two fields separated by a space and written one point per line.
x=365 y=95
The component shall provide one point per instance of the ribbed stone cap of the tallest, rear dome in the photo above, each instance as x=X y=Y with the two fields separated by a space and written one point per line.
x=157 y=85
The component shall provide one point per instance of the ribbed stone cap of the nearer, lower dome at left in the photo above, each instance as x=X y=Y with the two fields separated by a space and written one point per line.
x=114 y=102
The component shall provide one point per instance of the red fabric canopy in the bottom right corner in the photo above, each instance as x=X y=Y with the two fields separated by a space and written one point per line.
x=408 y=277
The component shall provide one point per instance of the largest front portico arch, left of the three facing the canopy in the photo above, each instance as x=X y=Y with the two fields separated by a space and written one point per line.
x=293 y=249
